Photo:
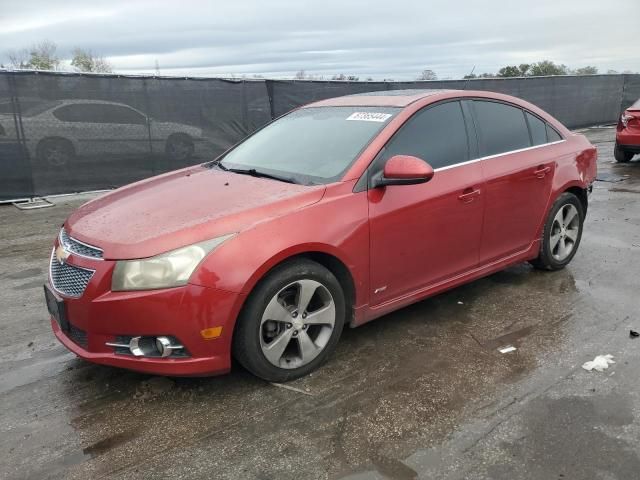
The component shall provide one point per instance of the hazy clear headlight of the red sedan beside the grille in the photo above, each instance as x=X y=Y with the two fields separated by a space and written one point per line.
x=171 y=269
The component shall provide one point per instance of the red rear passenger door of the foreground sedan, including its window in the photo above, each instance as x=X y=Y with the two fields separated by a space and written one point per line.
x=518 y=168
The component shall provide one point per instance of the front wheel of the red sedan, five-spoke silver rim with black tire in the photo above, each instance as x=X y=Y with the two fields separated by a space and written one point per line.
x=272 y=336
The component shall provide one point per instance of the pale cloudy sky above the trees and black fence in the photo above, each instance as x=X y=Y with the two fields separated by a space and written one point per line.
x=393 y=39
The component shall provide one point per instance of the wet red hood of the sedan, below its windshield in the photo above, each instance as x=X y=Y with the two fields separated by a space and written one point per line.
x=183 y=207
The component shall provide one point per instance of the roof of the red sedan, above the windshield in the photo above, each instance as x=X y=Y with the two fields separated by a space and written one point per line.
x=386 y=98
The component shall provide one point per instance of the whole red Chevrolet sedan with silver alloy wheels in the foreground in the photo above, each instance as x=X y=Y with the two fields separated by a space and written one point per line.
x=332 y=215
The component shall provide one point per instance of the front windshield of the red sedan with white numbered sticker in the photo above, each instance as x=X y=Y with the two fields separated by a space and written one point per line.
x=310 y=145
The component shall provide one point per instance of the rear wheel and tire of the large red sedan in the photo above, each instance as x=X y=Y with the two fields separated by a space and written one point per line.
x=563 y=228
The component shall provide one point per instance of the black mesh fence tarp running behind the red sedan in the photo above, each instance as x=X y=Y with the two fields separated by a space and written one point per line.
x=62 y=133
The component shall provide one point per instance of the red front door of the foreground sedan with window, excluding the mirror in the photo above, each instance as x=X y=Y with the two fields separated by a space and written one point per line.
x=423 y=234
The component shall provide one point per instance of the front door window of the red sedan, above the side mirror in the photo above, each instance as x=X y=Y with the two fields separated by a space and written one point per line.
x=436 y=134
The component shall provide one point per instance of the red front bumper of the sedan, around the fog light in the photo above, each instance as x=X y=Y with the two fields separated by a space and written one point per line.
x=99 y=316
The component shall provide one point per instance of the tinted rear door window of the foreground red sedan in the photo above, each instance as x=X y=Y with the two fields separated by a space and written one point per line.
x=502 y=127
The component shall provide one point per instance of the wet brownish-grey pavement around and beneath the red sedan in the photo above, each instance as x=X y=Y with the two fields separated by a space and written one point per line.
x=421 y=393
